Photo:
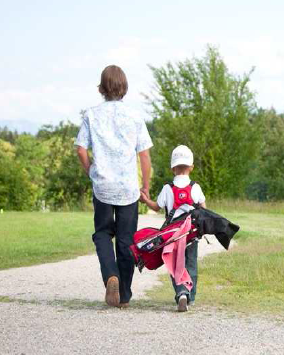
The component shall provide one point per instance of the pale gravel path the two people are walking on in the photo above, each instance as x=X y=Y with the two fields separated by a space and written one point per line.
x=38 y=321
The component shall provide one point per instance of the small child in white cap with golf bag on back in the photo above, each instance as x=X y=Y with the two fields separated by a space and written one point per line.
x=182 y=166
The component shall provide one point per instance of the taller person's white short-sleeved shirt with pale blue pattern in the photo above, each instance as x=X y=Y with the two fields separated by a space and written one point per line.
x=116 y=133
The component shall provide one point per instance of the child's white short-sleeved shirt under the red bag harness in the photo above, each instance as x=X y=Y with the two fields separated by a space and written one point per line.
x=166 y=196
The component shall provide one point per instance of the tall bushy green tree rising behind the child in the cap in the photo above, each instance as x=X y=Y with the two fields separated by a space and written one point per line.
x=199 y=103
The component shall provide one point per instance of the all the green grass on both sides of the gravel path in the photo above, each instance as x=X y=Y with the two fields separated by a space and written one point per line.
x=247 y=278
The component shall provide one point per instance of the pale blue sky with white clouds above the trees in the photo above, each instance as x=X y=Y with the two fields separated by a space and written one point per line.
x=53 y=52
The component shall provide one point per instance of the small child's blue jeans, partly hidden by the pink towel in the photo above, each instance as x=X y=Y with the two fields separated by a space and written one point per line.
x=191 y=266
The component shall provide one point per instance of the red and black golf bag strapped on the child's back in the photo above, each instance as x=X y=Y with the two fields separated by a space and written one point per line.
x=148 y=243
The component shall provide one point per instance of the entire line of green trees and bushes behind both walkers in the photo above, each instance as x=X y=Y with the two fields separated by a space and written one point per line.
x=238 y=146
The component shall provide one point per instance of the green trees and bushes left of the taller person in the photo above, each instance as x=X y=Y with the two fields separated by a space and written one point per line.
x=42 y=171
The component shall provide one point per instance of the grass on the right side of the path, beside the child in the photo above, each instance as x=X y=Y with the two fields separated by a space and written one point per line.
x=248 y=278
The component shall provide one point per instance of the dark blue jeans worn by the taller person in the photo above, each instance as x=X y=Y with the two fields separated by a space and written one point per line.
x=119 y=222
